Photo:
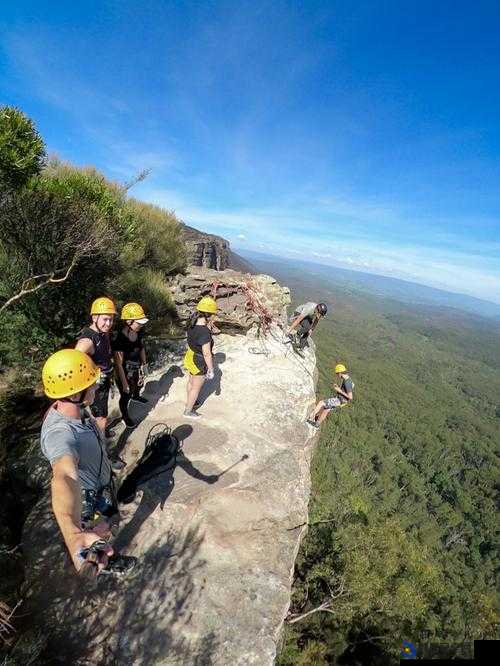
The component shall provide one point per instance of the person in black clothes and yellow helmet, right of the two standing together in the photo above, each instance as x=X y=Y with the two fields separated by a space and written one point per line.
x=130 y=358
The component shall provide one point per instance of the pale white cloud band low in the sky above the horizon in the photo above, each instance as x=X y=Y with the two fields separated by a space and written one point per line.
x=290 y=231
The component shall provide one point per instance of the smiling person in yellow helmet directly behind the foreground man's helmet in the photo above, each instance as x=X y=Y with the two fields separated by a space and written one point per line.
x=94 y=340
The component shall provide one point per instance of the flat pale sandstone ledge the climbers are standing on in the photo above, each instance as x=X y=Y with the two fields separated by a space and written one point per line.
x=212 y=529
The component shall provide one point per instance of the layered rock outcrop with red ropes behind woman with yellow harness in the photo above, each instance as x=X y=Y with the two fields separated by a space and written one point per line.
x=243 y=299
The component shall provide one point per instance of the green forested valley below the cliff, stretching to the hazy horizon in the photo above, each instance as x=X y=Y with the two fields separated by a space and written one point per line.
x=403 y=531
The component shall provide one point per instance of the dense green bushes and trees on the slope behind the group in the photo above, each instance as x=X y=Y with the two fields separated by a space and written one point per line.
x=68 y=235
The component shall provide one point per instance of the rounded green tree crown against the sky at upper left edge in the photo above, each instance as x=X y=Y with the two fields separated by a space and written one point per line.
x=22 y=150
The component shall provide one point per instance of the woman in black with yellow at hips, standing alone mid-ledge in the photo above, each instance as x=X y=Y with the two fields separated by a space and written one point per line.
x=199 y=360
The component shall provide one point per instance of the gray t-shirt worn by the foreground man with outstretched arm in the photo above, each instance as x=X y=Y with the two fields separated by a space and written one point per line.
x=63 y=436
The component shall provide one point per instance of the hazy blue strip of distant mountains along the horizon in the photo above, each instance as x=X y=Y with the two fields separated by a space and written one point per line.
x=378 y=285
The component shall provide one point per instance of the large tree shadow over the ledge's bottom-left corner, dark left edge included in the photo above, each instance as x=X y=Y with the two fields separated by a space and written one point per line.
x=137 y=620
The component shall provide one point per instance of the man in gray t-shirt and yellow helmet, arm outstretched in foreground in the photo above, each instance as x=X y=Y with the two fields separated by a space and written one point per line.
x=82 y=488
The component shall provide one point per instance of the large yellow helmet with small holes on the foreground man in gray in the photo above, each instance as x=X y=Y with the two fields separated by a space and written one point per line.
x=67 y=372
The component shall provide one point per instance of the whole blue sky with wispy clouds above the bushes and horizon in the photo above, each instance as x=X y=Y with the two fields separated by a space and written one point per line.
x=362 y=134
